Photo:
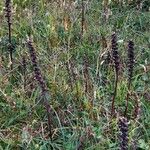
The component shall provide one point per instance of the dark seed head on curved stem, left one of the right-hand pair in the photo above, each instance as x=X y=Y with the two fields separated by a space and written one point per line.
x=115 y=54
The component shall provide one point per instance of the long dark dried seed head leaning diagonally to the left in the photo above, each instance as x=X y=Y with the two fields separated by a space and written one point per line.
x=36 y=68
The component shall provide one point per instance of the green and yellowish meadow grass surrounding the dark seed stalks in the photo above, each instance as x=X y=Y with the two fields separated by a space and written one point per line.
x=81 y=118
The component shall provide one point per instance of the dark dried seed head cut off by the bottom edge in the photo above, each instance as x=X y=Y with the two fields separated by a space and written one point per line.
x=123 y=136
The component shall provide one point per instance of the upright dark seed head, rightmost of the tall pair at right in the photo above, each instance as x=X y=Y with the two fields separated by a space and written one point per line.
x=130 y=59
